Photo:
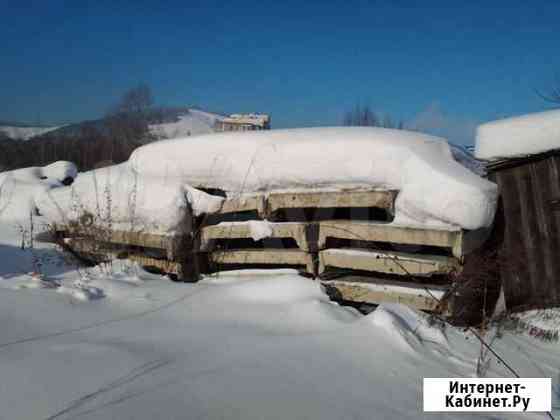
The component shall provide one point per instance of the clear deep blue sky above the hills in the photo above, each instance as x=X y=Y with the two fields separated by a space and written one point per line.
x=453 y=63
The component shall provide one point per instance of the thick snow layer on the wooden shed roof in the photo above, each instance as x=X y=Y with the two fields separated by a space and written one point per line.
x=518 y=136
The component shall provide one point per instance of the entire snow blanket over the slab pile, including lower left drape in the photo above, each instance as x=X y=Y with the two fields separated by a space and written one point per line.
x=152 y=186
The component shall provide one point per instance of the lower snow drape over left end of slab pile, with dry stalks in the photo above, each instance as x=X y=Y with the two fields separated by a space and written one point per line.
x=116 y=195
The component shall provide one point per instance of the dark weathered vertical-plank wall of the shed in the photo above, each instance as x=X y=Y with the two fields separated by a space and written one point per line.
x=530 y=253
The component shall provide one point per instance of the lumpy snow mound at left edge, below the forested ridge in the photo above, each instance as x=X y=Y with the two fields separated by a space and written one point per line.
x=20 y=188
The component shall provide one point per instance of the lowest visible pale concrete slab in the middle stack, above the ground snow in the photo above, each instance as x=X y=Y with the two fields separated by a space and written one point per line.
x=264 y=257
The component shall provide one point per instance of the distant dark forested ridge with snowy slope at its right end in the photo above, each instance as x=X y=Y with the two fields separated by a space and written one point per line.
x=101 y=141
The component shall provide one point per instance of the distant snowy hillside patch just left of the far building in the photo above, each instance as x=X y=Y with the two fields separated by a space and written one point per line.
x=194 y=123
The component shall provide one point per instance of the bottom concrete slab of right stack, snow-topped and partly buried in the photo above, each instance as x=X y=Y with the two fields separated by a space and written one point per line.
x=377 y=292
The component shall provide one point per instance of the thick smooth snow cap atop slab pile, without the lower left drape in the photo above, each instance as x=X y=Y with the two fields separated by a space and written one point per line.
x=433 y=187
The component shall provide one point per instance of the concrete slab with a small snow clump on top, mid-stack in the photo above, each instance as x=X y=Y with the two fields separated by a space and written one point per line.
x=239 y=230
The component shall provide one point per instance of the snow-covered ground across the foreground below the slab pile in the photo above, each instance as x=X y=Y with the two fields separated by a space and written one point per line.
x=115 y=342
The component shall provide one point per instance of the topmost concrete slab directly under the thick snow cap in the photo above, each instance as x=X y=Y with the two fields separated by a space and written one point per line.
x=329 y=199
